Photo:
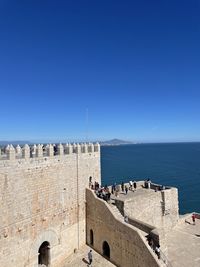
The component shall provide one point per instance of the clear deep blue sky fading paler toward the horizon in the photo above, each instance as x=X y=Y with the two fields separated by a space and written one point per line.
x=135 y=65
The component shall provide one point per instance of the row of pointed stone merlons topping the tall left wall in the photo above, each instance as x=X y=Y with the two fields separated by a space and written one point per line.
x=50 y=150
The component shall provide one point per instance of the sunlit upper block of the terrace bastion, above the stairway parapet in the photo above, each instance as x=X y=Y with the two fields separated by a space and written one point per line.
x=159 y=209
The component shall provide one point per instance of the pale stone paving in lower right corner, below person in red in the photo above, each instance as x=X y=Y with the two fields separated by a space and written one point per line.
x=183 y=243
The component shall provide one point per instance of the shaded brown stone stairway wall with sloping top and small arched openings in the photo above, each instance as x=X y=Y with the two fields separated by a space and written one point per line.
x=127 y=248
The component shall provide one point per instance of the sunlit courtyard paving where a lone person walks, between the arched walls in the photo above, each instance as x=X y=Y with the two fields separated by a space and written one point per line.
x=79 y=259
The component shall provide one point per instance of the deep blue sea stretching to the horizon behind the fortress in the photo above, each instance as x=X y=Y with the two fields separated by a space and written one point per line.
x=175 y=164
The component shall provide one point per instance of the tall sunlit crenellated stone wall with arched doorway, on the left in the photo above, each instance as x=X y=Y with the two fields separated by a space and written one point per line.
x=42 y=202
